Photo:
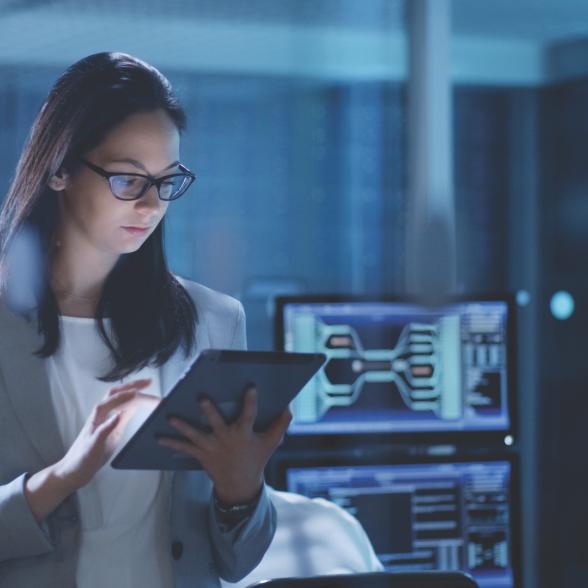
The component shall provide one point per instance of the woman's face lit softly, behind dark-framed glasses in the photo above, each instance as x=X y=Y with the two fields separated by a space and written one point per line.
x=89 y=210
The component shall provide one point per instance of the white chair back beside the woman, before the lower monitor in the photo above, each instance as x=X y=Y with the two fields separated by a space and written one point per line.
x=313 y=537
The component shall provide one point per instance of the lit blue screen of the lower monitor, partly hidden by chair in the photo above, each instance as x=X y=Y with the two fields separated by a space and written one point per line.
x=433 y=516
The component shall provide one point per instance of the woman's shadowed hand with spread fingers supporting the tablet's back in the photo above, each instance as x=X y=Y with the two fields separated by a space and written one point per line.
x=234 y=455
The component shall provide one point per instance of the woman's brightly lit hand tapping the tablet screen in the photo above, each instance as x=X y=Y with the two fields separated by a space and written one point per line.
x=101 y=432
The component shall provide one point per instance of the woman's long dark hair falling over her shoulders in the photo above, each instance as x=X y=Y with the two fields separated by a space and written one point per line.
x=151 y=313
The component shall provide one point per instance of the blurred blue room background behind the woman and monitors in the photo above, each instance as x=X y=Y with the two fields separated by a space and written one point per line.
x=377 y=148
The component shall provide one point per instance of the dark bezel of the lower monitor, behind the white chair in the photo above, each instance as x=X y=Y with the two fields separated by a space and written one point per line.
x=299 y=461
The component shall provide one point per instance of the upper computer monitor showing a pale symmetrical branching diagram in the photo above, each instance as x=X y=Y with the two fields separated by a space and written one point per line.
x=401 y=366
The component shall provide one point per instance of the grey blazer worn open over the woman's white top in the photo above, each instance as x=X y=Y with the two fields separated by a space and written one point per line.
x=43 y=555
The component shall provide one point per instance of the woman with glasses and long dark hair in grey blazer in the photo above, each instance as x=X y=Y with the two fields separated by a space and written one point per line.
x=92 y=186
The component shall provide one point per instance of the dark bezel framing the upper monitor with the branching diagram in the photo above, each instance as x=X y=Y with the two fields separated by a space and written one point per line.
x=496 y=437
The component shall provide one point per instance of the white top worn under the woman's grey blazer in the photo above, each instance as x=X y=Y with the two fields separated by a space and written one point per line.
x=124 y=513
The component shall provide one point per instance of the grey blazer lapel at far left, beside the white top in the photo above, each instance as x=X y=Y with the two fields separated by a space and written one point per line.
x=27 y=385
